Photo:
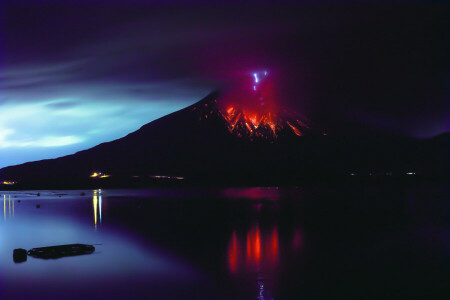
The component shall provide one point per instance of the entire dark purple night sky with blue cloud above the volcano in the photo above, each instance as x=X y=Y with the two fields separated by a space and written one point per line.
x=76 y=74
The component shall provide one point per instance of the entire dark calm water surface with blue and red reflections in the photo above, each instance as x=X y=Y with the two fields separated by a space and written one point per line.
x=247 y=243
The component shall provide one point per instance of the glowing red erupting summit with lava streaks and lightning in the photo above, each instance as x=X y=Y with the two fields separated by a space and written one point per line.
x=250 y=110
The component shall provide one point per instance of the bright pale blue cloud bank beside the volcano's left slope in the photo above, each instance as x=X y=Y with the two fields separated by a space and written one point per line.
x=50 y=110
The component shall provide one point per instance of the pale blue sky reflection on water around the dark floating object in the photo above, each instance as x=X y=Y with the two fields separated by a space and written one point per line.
x=119 y=260
